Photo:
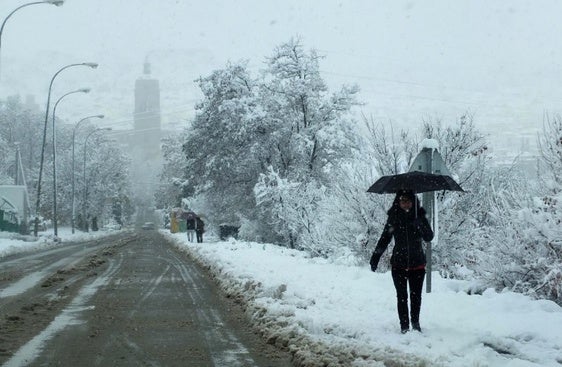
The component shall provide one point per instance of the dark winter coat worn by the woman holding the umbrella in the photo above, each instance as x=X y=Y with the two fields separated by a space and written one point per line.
x=408 y=232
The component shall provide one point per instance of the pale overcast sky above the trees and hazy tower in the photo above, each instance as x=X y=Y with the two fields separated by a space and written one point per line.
x=413 y=60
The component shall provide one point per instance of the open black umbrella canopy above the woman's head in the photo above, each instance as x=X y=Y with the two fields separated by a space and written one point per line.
x=415 y=181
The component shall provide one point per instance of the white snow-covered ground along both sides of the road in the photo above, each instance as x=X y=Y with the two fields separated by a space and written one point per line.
x=331 y=311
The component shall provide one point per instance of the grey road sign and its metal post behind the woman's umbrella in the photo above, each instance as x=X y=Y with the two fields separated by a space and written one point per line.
x=430 y=161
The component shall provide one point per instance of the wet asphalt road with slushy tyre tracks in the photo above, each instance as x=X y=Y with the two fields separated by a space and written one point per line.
x=125 y=300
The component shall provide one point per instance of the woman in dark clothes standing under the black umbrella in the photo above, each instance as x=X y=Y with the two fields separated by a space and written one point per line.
x=408 y=225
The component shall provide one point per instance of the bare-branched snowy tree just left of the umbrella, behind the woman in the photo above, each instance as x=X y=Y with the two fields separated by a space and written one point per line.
x=380 y=150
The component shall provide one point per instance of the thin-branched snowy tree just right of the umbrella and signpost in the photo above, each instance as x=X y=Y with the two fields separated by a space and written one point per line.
x=461 y=215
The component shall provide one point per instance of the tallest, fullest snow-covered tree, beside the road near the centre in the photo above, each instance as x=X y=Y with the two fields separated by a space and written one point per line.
x=283 y=121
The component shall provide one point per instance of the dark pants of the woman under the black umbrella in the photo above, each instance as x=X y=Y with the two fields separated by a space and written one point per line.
x=401 y=280
